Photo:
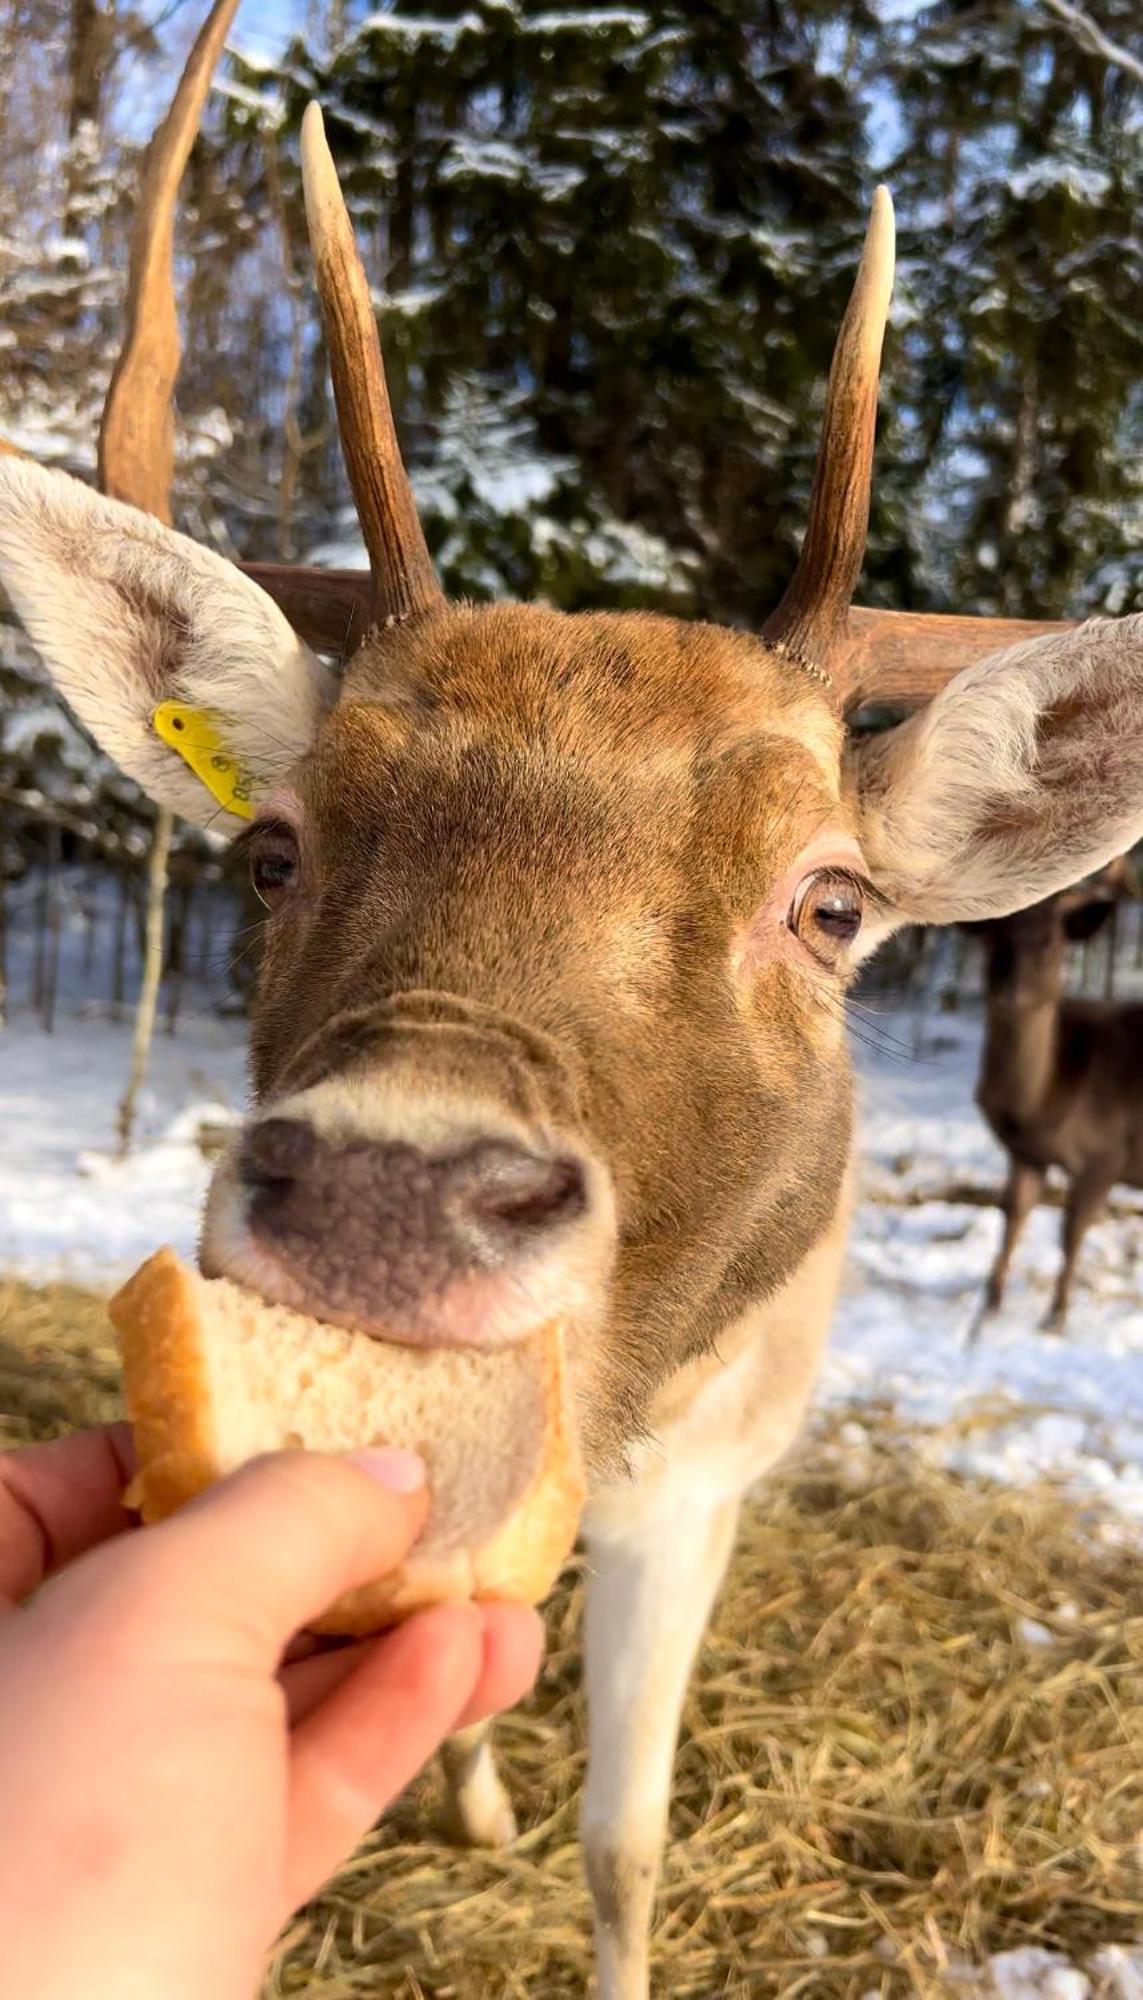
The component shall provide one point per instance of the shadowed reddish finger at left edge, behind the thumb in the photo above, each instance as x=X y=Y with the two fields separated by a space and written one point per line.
x=59 y=1501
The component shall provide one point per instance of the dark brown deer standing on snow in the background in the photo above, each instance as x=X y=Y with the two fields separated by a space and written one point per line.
x=1062 y=1081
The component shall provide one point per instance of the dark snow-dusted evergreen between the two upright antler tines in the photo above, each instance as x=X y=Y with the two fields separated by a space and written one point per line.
x=614 y=249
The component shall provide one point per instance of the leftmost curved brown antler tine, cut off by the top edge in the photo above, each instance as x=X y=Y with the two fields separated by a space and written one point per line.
x=137 y=435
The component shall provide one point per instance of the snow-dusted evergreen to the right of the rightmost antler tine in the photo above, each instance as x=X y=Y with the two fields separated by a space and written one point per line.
x=1028 y=343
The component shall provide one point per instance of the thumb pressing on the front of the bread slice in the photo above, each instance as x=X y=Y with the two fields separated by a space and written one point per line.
x=237 y=1573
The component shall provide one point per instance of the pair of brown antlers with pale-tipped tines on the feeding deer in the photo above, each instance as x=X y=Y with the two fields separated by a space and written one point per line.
x=894 y=657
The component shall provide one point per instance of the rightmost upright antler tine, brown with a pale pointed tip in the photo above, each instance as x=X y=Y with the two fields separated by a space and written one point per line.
x=812 y=615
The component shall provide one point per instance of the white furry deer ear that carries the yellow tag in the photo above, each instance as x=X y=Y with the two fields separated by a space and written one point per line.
x=129 y=615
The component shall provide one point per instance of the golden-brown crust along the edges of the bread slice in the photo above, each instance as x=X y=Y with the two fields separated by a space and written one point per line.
x=157 y=1317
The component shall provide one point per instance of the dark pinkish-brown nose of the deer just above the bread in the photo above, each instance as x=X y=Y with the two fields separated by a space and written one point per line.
x=389 y=1237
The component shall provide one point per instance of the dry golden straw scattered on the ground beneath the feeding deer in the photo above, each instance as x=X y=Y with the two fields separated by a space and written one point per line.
x=916 y=1739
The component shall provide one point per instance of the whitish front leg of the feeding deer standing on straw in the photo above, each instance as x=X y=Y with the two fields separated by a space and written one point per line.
x=648 y=1603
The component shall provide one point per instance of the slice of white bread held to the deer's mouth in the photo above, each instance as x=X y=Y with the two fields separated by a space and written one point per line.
x=215 y=1377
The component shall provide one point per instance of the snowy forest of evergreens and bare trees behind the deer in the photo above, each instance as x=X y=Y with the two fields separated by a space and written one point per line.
x=610 y=253
